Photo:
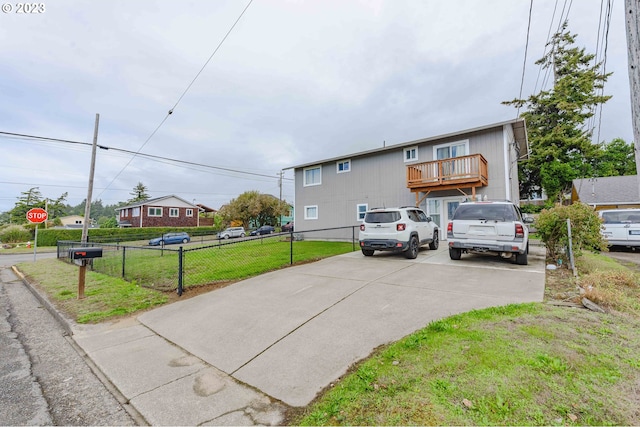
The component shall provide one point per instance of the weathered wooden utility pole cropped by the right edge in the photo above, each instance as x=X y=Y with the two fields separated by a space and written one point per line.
x=632 y=10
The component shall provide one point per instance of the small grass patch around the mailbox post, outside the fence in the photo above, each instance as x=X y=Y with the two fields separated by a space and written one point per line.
x=105 y=297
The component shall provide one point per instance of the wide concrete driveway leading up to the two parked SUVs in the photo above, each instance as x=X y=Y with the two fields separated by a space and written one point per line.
x=292 y=332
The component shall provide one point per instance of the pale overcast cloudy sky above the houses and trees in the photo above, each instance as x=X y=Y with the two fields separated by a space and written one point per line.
x=295 y=81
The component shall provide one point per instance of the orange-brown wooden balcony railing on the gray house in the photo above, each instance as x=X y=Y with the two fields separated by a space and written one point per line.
x=456 y=172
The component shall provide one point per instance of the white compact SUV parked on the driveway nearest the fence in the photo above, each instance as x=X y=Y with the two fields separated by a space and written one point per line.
x=397 y=230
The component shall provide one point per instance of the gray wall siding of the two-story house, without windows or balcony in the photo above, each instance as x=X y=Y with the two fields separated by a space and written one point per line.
x=378 y=178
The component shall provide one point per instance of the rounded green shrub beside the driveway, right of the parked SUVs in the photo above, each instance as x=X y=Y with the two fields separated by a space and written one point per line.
x=551 y=227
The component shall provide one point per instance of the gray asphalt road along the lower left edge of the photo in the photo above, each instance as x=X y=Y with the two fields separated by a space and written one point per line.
x=44 y=379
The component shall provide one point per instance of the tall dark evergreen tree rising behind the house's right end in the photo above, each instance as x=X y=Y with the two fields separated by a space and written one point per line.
x=560 y=142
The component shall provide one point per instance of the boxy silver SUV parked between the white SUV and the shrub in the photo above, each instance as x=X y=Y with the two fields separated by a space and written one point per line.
x=489 y=227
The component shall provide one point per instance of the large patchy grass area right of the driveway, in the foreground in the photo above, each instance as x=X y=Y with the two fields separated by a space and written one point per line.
x=529 y=364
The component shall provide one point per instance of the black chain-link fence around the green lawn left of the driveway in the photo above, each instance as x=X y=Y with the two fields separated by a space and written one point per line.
x=204 y=262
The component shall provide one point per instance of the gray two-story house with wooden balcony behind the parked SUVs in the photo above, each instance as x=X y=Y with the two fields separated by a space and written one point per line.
x=436 y=174
